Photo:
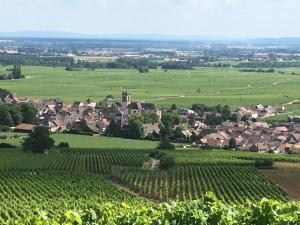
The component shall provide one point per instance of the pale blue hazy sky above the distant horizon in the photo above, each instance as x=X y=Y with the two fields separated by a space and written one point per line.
x=222 y=18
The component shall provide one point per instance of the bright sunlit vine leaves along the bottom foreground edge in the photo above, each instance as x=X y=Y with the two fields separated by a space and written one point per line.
x=208 y=211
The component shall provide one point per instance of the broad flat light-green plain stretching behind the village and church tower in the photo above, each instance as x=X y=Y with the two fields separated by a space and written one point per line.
x=201 y=85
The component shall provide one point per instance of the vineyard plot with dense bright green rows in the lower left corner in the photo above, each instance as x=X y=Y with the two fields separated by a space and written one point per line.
x=22 y=192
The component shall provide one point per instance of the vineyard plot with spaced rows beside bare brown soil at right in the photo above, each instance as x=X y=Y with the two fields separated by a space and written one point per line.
x=230 y=184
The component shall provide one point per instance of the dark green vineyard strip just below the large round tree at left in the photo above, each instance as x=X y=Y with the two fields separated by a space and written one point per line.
x=99 y=163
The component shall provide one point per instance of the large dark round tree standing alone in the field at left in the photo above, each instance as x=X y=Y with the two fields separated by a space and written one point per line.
x=38 y=141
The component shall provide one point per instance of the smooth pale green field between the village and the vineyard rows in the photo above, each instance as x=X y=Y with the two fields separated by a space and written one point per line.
x=81 y=141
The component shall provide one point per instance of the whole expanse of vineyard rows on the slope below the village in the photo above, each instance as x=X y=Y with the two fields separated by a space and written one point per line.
x=79 y=179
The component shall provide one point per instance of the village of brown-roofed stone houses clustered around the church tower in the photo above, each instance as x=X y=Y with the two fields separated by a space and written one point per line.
x=249 y=131
